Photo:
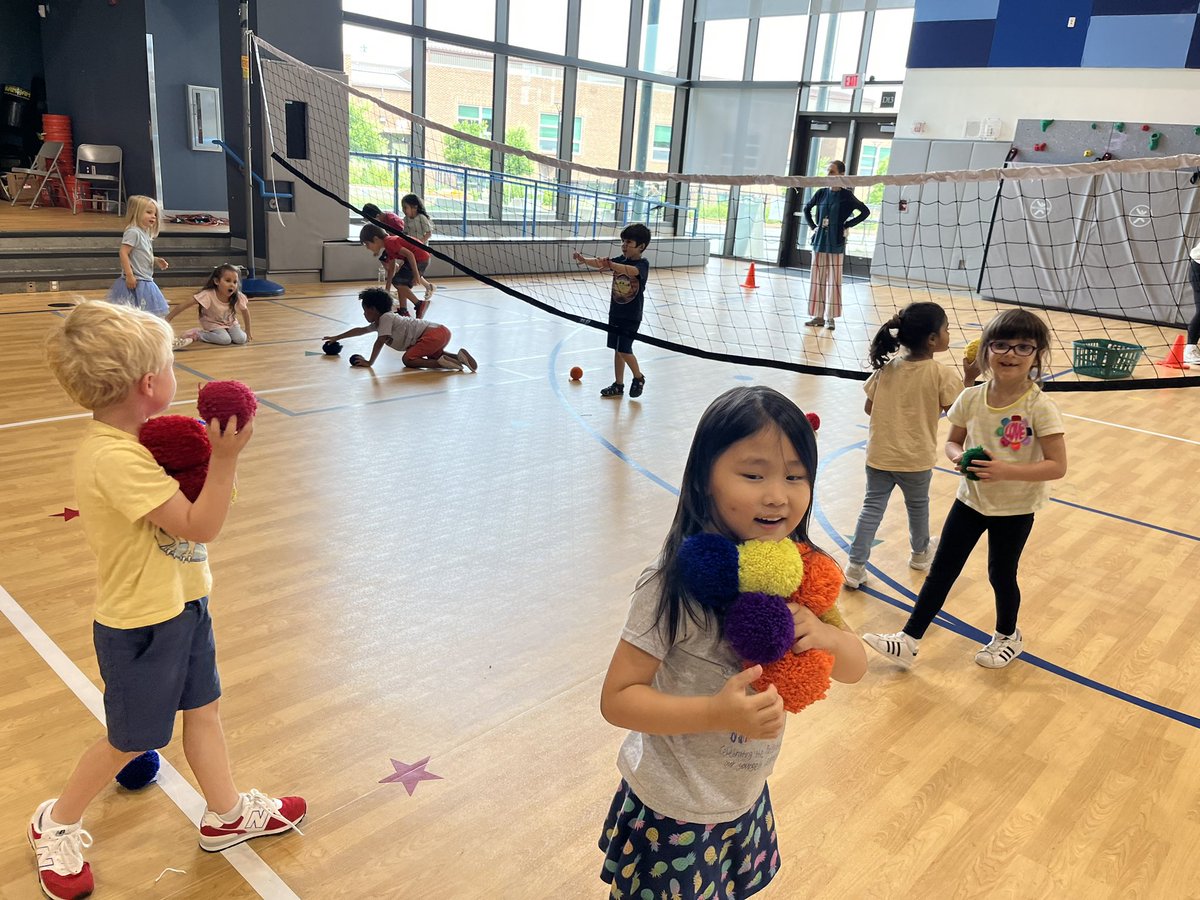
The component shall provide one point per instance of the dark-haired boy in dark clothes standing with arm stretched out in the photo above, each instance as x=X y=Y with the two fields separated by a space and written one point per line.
x=629 y=277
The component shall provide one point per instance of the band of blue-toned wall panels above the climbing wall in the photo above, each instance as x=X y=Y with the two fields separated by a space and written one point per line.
x=1107 y=34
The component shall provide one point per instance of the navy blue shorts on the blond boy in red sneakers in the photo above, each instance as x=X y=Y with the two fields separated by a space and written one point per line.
x=153 y=673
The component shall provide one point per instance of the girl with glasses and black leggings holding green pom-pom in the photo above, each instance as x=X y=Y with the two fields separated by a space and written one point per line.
x=1022 y=431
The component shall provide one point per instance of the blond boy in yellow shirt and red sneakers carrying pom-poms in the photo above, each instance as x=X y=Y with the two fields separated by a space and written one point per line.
x=153 y=632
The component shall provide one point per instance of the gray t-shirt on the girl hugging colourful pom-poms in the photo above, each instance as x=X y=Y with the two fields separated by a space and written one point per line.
x=707 y=778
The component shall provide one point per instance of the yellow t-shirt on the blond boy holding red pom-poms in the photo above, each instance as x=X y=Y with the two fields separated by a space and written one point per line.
x=146 y=575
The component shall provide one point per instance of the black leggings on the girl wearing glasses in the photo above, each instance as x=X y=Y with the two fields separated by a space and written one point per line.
x=963 y=530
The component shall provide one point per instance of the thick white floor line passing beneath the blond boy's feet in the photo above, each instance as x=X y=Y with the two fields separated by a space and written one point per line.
x=249 y=865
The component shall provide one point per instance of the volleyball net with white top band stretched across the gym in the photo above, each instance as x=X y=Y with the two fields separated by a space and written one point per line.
x=1099 y=250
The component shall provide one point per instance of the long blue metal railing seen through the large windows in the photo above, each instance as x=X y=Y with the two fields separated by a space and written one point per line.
x=472 y=197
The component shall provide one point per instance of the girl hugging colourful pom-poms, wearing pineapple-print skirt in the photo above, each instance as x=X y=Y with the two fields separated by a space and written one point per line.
x=692 y=818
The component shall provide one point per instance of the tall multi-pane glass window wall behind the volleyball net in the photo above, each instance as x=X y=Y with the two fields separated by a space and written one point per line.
x=457 y=175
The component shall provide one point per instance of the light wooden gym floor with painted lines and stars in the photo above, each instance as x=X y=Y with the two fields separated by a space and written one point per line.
x=439 y=566
